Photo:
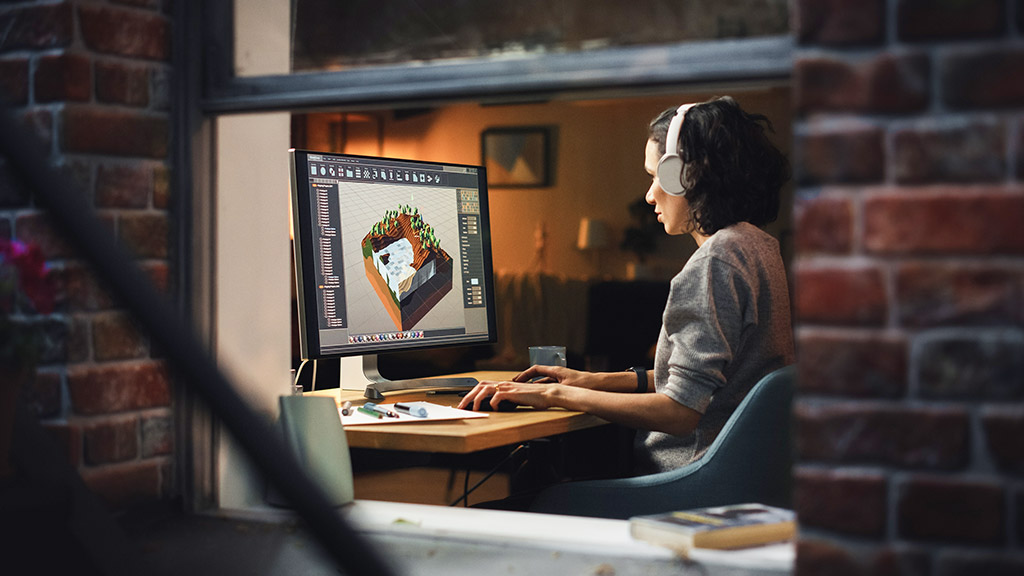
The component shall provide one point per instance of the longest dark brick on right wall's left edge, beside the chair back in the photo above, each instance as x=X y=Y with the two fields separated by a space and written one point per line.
x=865 y=433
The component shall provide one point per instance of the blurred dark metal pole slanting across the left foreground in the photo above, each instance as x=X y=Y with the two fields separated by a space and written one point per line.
x=74 y=217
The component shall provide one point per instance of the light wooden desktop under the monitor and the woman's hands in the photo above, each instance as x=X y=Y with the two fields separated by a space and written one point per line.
x=461 y=437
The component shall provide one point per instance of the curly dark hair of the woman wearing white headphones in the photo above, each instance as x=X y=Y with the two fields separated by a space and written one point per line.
x=735 y=172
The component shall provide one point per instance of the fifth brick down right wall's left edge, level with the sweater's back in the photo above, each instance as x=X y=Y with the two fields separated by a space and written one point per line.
x=852 y=296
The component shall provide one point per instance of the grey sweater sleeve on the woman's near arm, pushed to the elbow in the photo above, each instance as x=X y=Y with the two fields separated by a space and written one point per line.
x=704 y=323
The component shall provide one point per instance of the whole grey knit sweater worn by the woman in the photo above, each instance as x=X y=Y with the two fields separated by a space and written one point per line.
x=726 y=326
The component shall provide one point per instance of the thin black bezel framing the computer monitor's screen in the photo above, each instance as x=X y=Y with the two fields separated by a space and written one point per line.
x=305 y=274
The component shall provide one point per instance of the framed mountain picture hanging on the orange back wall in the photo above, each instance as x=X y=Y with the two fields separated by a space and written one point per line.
x=518 y=157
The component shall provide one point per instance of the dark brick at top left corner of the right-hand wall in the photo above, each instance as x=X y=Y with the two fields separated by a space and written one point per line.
x=839 y=23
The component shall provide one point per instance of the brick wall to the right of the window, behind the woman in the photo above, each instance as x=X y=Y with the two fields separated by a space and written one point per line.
x=910 y=285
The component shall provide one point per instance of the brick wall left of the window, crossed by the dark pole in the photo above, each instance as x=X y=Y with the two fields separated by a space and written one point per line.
x=93 y=79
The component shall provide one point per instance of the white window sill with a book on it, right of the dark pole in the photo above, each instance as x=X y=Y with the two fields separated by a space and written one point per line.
x=451 y=542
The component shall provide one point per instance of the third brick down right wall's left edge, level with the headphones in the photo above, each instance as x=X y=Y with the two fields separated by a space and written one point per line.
x=851 y=155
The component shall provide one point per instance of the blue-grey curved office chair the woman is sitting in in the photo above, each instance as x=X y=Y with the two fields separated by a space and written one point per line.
x=749 y=462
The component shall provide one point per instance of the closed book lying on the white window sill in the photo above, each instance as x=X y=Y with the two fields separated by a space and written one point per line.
x=734 y=526
